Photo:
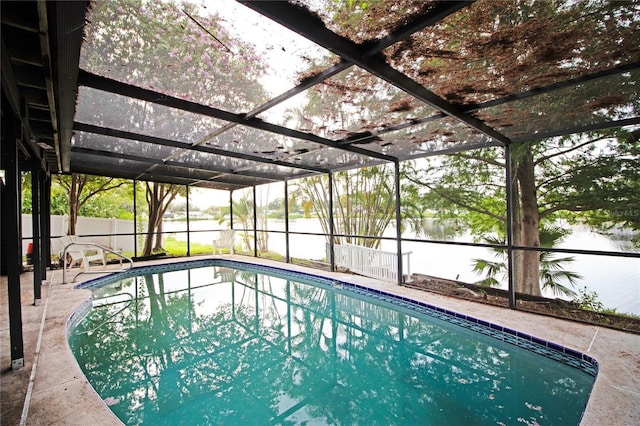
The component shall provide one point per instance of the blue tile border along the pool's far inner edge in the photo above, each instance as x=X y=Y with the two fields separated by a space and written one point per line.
x=534 y=344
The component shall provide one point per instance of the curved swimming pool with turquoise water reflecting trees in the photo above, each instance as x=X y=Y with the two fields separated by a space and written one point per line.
x=225 y=342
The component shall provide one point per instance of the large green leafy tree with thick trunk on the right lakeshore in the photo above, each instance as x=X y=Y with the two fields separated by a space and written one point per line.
x=589 y=177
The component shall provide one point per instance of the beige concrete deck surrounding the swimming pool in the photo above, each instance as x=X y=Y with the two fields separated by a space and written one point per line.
x=51 y=389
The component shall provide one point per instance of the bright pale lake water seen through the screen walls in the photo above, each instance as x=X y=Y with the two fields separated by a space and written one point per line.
x=615 y=280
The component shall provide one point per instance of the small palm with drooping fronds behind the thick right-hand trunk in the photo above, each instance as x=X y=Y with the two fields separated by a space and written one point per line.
x=553 y=275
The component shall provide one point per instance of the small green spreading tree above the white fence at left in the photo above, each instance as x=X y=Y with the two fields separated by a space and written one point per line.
x=80 y=188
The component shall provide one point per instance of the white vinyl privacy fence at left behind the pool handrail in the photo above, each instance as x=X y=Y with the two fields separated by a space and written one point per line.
x=107 y=228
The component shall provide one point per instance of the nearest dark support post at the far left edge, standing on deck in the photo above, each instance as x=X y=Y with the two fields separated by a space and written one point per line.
x=11 y=240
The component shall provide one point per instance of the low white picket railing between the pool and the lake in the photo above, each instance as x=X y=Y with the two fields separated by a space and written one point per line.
x=382 y=265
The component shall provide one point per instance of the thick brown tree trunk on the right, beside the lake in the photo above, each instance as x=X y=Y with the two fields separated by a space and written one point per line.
x=528 y=227
